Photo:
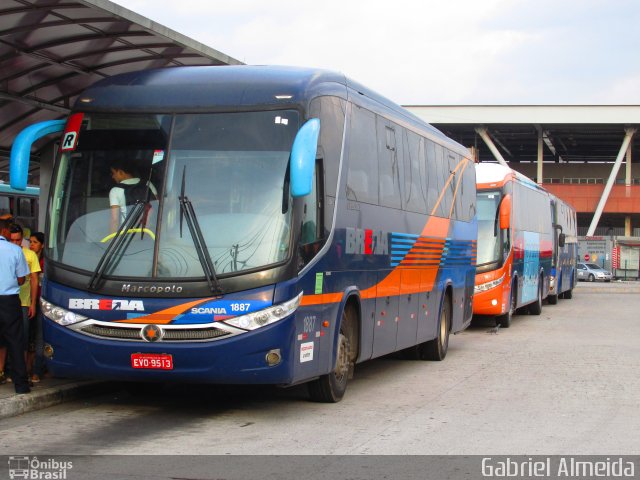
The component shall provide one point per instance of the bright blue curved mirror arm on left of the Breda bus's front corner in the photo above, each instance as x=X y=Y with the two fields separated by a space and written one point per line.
x=21 y=150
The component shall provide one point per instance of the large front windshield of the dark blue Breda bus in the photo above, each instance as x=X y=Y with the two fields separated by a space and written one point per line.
x=231 y=167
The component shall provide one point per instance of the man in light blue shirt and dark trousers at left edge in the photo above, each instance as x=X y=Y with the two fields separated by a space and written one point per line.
x=13 y=270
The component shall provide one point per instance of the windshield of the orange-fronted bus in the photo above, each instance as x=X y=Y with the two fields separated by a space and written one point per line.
x=488 y=230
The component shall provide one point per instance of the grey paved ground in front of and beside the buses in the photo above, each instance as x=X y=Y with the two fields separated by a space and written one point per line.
x=564 y=382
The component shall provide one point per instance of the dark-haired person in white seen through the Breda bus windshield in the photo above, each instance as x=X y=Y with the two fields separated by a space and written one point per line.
x=126 y=192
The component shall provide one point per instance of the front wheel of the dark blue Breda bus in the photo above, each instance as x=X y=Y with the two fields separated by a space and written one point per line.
x=330 y=388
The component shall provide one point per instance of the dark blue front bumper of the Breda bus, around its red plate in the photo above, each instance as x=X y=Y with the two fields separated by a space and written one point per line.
x=237 y=360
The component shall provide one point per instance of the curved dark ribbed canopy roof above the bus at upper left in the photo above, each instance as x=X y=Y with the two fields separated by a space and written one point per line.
x=51 y=50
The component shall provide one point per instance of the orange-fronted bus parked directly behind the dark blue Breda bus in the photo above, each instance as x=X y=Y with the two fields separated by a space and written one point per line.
x=515 y=243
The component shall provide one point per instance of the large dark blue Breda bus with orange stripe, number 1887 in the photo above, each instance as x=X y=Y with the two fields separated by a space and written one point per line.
x=300 y=224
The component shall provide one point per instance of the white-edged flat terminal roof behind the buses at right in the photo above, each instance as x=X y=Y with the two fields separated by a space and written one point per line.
x=571 y=133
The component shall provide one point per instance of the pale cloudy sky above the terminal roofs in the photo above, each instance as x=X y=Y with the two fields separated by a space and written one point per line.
x=433 y=52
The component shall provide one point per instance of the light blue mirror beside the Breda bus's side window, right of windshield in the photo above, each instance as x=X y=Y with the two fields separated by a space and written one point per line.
x=303 y=158
